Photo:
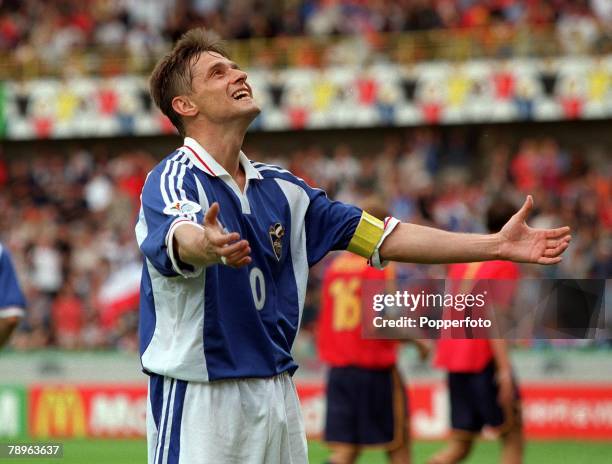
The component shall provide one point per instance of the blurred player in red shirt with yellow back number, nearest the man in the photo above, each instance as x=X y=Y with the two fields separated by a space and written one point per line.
x=366 y=398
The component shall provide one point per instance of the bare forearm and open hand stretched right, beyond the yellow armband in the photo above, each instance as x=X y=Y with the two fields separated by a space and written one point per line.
x=515 y=242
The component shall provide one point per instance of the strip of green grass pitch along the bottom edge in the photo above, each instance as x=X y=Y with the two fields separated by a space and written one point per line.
x=134 y=452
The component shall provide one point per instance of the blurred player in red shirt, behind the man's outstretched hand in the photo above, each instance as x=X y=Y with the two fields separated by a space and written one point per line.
x=483 y=393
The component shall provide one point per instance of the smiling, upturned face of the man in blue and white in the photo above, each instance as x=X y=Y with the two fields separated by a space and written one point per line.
x=220 y=90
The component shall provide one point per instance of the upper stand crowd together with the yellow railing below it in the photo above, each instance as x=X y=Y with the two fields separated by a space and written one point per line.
x=128 y=36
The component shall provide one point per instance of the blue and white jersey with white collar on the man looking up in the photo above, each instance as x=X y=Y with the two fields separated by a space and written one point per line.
x=219 y=322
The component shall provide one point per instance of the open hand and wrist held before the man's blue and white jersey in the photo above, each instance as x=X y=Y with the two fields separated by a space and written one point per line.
x=212 y=245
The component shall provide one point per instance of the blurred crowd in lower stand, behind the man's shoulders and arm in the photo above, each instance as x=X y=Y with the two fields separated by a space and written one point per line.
x=69 y=217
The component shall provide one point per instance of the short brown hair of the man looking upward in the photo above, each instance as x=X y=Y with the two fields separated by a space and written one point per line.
x=172 y=75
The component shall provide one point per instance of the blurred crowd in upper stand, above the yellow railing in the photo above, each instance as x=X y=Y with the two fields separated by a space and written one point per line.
x=144 y=30
